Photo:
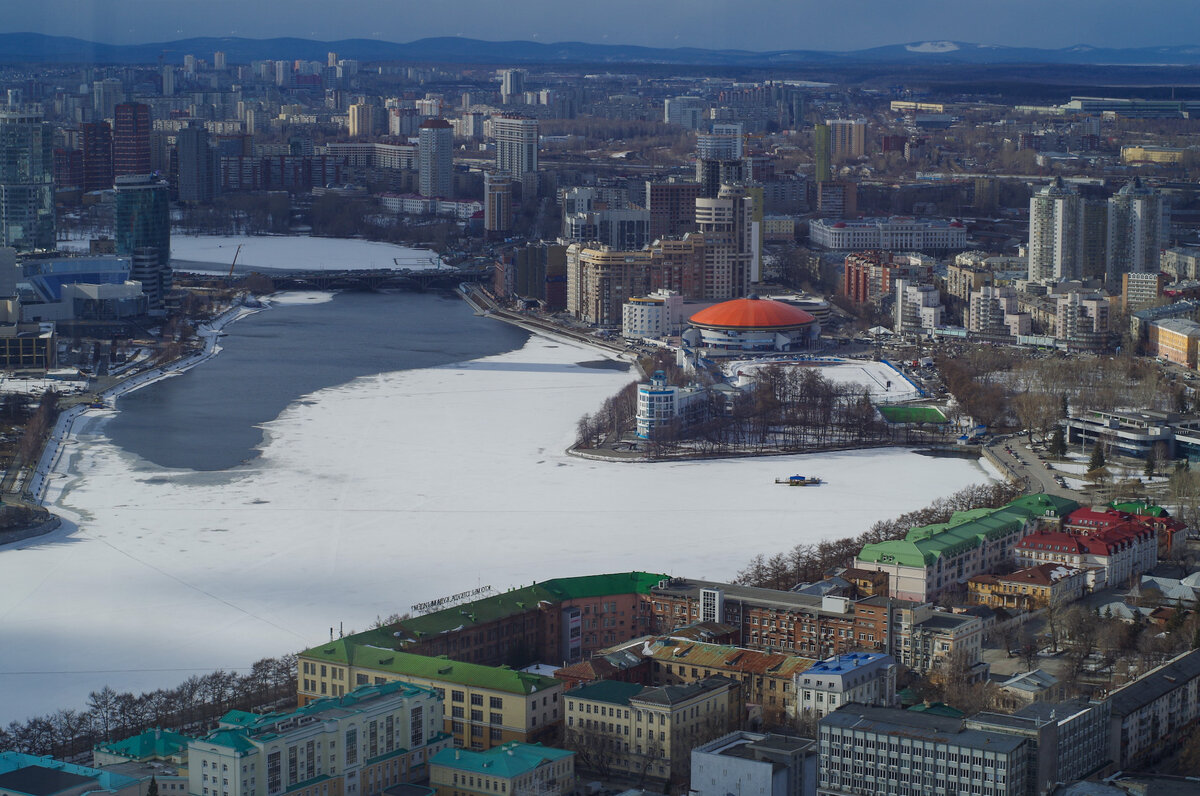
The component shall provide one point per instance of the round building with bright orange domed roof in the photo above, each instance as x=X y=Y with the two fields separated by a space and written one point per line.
x=753 y=325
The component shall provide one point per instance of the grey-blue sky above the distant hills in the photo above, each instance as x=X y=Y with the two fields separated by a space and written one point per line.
x=741 y=25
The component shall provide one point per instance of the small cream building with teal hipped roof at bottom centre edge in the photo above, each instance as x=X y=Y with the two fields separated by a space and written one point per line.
x=509 y=769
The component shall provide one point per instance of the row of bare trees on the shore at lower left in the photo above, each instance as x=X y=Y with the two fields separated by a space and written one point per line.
x=193 y=707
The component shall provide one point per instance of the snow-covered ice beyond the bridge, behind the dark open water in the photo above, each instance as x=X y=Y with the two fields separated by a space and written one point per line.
x=293 y=253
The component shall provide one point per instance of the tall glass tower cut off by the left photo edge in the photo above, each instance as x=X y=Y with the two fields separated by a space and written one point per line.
x=27 y=182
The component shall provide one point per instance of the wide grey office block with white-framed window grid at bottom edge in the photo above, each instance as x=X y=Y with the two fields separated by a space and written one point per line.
x=867 y=750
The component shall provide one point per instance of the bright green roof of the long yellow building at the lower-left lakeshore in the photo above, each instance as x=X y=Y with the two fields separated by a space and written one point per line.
x=373 y=650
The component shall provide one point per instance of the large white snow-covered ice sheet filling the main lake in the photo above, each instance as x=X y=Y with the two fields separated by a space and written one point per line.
x=380 y=494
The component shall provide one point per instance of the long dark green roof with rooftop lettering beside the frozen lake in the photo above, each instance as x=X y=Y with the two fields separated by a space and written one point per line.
x=527 y=599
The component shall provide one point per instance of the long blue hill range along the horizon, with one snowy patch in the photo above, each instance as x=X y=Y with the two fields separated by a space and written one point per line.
x=39 y=49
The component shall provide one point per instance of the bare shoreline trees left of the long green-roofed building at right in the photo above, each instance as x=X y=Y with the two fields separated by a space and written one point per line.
x=809 y=562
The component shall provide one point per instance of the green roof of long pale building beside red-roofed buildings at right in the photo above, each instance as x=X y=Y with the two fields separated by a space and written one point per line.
x=922 y=547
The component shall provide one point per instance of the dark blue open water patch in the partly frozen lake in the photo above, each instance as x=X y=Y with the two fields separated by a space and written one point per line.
x=208 y=418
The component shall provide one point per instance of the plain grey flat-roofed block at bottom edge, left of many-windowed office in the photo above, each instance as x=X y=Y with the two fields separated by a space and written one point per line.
x=755 y=763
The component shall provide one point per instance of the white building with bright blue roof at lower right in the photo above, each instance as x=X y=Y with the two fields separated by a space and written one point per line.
x=862 y=678
